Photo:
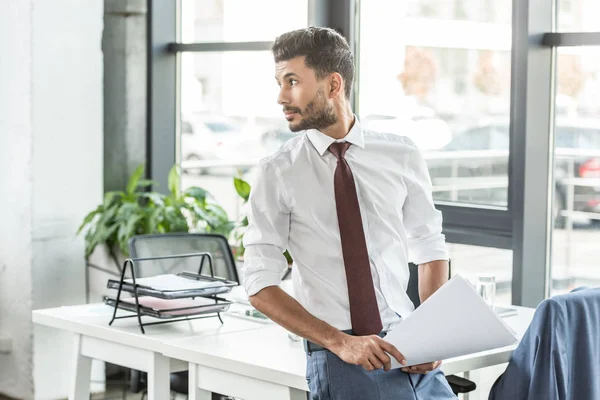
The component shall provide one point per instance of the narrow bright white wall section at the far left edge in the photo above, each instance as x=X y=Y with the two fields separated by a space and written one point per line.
x=16 y=139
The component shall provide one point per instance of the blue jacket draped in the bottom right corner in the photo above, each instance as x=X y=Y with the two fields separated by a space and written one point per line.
x=558 y=358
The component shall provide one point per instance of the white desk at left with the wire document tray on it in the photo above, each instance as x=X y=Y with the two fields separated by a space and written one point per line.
x=124 y=344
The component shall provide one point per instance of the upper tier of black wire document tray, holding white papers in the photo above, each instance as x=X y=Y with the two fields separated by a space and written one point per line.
x=219 y=286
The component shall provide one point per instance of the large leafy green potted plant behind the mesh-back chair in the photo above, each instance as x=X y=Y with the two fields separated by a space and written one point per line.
x=137 y=211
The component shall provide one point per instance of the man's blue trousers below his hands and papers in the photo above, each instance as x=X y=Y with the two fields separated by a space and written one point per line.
x=330 y=378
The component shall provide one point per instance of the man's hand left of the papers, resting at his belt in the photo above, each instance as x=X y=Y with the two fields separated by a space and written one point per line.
x=370 y=352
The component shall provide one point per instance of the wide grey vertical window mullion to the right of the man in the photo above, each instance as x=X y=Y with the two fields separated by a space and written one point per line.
x=531 y=150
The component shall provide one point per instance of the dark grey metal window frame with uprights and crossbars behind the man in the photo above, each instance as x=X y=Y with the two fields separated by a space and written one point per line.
x=524 y=226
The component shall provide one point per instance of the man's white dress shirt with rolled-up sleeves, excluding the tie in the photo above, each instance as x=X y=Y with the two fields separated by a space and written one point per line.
x=292 y=206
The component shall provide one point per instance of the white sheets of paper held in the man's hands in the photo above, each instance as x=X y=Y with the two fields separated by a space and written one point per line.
x=453 y=322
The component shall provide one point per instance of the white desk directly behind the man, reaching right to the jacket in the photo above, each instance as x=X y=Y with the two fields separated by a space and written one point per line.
x=266 y=364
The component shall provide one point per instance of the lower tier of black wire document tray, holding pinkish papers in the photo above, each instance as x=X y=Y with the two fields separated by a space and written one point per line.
x=166 y=309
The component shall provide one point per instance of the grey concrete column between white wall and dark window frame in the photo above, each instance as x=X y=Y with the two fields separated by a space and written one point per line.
x=124 y=46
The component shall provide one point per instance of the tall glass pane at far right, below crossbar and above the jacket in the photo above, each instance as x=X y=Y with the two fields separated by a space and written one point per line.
x=576 y=209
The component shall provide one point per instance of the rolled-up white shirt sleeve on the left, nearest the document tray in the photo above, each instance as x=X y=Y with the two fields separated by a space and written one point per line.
x=267 y=235
